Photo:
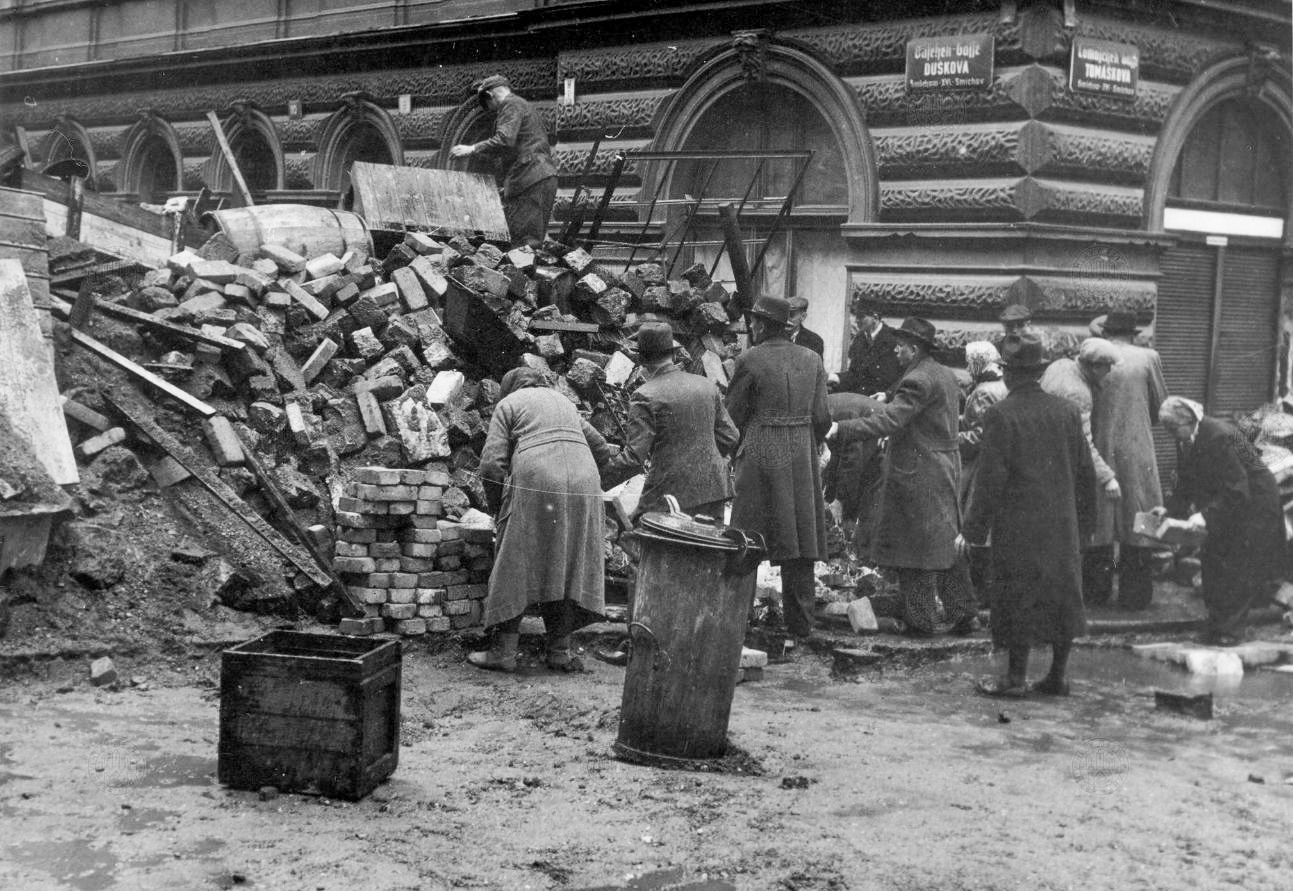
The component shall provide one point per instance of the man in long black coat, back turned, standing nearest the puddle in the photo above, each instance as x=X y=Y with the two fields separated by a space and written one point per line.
x=1034 y=493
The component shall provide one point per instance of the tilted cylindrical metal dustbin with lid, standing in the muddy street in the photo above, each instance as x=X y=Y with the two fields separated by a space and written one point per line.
x=690 y=614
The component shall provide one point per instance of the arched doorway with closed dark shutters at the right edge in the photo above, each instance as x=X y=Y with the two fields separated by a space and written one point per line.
x=1221 y=186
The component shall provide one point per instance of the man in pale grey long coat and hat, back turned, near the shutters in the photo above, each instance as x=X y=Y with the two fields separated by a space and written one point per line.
x=1126 y=409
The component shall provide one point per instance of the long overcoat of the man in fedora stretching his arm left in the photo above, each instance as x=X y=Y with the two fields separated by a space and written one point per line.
x=919 y=518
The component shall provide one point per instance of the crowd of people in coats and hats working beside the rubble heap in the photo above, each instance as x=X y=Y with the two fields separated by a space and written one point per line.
x=1013 y=488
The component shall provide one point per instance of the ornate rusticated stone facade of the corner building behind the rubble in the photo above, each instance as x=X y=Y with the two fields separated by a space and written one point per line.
x=1021 y=184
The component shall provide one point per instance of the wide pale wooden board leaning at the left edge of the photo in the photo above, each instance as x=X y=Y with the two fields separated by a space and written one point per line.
x=29 y=392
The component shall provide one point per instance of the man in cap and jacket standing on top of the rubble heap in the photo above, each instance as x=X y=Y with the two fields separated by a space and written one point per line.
x=531 y=183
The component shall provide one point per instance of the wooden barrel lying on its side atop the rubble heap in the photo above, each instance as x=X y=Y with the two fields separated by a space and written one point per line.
x=308 y=231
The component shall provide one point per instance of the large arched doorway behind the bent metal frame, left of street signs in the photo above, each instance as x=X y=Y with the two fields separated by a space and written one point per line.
x=771 y=98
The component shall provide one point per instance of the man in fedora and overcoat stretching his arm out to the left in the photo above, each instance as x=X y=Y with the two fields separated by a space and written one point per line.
x=917 y=521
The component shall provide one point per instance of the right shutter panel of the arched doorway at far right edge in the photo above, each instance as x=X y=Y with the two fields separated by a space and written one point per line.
x=1247 y=360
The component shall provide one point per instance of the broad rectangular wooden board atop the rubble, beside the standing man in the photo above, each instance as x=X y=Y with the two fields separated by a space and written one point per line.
x=412 y=199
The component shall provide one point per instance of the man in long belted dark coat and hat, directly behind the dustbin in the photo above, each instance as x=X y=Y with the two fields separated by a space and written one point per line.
x=778 y=399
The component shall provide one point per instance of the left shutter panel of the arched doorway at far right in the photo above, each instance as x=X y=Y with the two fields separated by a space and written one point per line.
x=1182 y=332
